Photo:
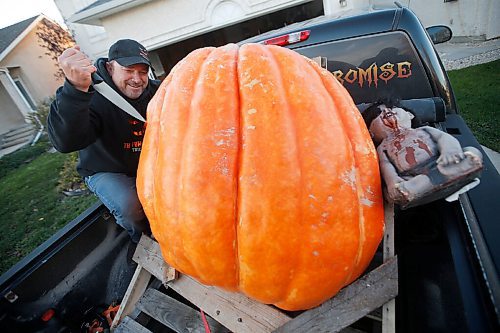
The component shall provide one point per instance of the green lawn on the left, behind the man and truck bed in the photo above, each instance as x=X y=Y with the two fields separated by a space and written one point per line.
x=31 y=208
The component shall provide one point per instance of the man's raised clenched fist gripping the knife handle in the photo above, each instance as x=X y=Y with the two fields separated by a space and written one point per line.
x=77 y=68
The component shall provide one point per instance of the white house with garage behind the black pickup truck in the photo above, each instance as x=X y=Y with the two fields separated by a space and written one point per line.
x=170 y=29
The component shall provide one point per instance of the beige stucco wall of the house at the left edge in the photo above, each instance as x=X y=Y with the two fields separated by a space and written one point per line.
x=35 y=69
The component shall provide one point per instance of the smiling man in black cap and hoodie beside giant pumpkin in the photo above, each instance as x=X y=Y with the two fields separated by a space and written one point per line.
x=108 y=139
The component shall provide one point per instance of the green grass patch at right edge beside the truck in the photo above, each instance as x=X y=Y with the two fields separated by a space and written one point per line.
x=477 y=90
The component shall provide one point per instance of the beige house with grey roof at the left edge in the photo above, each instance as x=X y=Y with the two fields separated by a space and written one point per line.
x=27 y=77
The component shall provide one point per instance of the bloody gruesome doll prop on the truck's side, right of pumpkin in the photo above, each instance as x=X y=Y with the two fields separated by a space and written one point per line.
x=419 y=165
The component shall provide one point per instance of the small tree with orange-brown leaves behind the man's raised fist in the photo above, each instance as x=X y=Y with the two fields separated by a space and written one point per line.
x=55 y=40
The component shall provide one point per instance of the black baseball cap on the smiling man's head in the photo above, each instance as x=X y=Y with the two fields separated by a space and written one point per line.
x=128 y=52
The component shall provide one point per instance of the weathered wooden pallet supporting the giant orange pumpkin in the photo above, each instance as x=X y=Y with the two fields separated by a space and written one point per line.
x=234 y=312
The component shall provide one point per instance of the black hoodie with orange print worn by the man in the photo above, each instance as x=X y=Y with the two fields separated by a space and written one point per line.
x=107 y=138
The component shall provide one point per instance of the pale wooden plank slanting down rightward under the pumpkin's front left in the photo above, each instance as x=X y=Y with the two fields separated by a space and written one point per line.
x=233 y=310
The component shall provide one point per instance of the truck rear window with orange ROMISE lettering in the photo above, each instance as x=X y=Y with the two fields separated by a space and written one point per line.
x=374 y=67
